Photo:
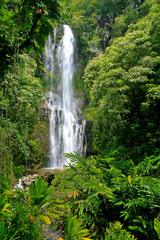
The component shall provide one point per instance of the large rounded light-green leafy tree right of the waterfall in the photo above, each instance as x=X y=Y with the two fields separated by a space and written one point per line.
x=122 y=87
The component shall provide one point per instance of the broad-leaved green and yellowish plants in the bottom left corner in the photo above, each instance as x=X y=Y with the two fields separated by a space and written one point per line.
x=24 y=214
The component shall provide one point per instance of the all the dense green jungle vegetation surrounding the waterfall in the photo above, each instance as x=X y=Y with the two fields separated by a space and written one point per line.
x=115 y=192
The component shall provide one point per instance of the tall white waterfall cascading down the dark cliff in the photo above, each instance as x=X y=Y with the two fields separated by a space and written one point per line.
x=66 y=127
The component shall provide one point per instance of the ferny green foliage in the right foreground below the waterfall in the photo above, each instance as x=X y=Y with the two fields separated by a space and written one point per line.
x=103 y=191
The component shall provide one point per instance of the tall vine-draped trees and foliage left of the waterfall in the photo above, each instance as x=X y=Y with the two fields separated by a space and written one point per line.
x=21 y=46
